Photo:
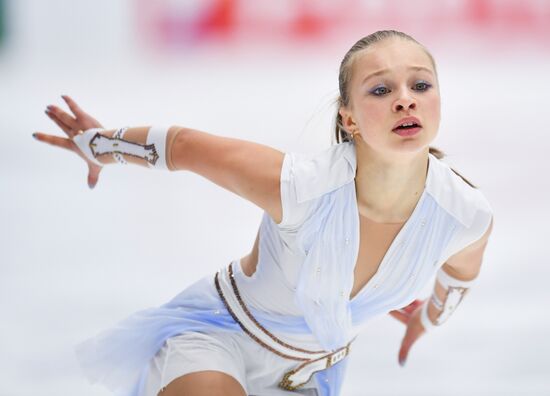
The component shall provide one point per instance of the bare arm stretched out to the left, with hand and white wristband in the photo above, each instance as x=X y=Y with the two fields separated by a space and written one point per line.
x=248 y=169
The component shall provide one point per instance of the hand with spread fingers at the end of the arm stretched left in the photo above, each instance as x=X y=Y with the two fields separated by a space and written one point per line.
x=72 y=125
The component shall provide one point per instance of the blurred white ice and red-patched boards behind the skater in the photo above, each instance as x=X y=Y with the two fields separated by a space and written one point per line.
x=75 y=261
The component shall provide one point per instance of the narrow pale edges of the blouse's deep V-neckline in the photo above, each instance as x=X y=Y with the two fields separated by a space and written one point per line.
x=395 y=240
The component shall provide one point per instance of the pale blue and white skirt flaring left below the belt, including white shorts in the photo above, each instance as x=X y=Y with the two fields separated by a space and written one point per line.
x=195 y=332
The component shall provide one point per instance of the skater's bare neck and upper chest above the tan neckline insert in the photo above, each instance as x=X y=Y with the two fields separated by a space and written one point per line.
x=388 y=188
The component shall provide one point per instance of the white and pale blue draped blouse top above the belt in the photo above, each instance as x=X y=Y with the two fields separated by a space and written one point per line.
x=306 y=263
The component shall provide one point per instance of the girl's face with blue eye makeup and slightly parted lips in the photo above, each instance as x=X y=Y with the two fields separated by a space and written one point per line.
x=393 y=82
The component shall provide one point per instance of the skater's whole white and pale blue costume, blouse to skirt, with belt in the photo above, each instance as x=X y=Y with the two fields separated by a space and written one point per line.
x=300 y=290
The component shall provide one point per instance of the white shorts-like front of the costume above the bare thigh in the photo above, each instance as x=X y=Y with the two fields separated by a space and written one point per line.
x=257 y=369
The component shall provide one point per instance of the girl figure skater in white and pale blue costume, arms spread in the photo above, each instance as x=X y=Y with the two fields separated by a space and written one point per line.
x=352 y=232
